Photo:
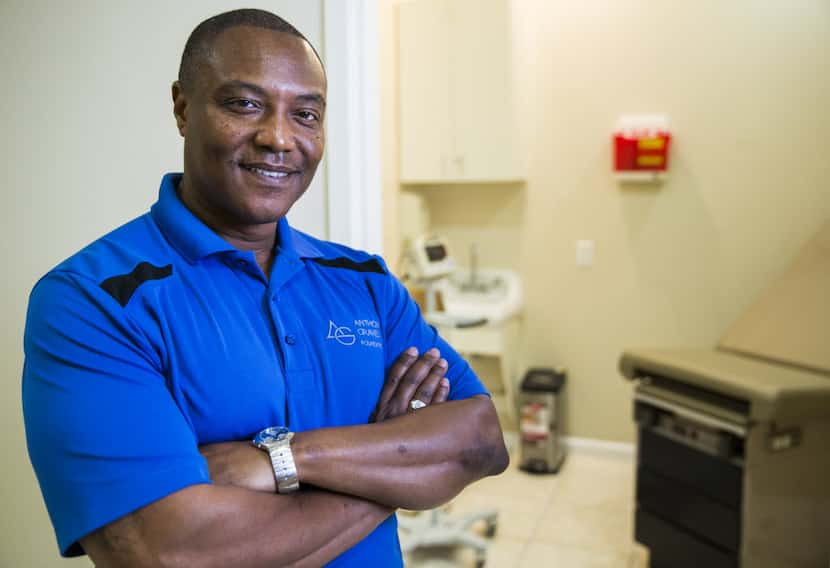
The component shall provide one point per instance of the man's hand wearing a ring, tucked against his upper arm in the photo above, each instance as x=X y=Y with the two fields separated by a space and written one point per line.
x=412 y=378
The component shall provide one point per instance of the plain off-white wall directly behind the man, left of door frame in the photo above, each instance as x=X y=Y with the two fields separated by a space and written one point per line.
x=87 y=130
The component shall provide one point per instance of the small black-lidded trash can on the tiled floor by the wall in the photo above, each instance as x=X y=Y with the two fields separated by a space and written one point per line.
x=540 y=412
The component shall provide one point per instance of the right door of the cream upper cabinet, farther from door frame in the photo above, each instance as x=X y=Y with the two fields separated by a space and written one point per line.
x=484 y=133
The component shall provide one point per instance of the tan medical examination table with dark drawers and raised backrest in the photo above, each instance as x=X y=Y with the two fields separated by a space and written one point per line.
x=733 y=453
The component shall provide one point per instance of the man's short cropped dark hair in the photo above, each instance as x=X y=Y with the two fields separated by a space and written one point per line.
x=200 y=43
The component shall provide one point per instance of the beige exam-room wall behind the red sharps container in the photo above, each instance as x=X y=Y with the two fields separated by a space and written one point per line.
x=745 y=84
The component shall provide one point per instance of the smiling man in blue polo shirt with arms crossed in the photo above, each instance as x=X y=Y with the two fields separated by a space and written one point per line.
x=155 y=354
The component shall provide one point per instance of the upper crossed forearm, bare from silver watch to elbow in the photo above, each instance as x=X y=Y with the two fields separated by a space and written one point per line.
x=416 y=461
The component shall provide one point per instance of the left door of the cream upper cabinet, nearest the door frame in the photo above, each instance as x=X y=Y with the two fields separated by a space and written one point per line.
x=425 y=130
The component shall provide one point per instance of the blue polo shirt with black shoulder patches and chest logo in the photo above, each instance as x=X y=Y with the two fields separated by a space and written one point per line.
x=161 y=336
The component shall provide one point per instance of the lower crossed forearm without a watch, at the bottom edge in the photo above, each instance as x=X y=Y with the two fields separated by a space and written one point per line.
x=215 y=526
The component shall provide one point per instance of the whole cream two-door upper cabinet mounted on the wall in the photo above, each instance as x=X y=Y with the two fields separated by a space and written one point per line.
x=457 y=110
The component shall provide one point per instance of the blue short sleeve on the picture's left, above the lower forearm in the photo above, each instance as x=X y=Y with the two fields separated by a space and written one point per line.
x=104 y=435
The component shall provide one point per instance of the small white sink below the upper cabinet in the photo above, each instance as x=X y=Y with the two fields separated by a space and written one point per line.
x=492 y=294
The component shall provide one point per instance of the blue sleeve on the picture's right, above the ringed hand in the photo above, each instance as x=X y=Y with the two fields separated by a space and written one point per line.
x=405 y=327
